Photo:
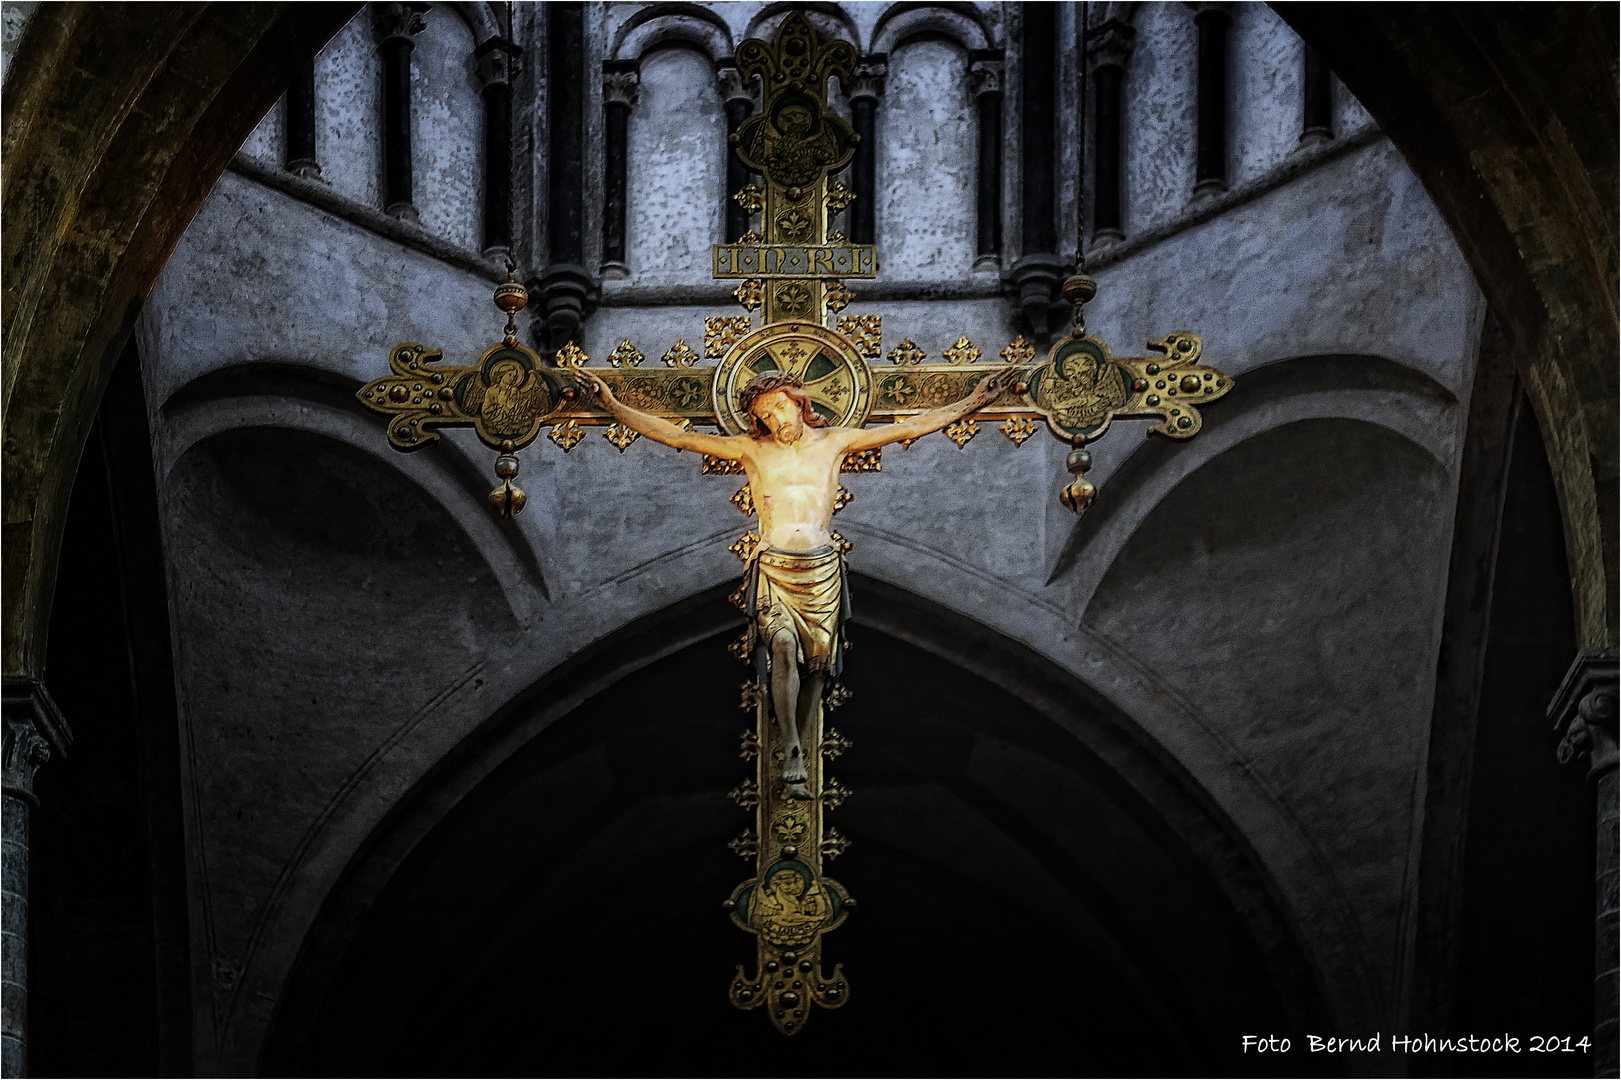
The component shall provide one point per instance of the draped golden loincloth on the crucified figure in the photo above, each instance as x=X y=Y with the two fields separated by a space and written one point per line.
x=805 y=594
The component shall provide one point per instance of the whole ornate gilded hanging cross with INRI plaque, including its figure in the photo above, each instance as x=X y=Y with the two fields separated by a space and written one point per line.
x=782 y=392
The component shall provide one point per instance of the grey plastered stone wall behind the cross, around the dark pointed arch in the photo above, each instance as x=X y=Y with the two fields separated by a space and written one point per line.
x=1264 y=601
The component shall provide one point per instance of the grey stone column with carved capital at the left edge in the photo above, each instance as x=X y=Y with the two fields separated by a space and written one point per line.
x=33 y=731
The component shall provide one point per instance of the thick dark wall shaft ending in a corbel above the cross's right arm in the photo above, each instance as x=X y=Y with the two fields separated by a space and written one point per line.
x=1040 y=272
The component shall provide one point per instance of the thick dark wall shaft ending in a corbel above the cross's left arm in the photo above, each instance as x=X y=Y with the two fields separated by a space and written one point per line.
x=567 y=291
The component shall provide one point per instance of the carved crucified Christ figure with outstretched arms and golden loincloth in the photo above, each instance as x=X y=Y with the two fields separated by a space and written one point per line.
x=797 y=593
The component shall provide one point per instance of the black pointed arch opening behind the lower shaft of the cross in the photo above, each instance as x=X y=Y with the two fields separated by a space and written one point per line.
x=1024 y=906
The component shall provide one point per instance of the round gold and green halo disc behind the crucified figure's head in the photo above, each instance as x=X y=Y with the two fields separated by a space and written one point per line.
x=837 y=379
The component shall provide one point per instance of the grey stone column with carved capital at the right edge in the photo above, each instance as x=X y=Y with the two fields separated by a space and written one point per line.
x=1585 y=718
